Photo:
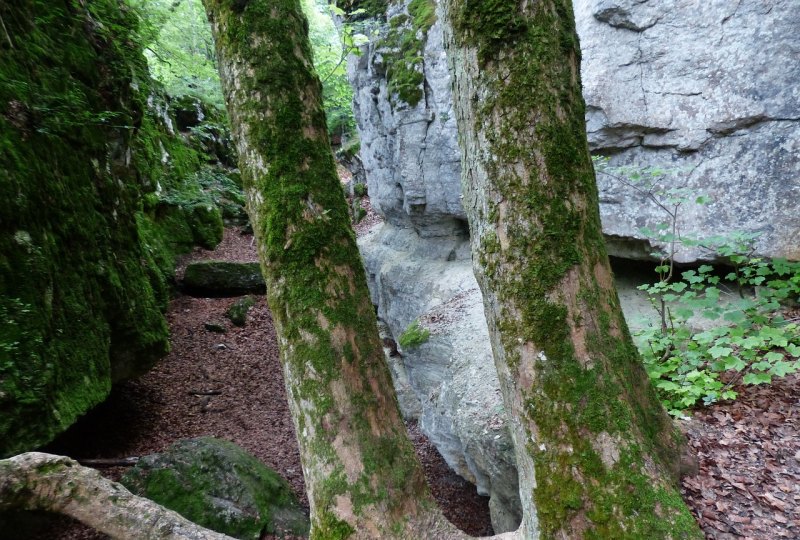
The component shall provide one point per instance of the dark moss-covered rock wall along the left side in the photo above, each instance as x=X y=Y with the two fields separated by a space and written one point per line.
x=98 y=192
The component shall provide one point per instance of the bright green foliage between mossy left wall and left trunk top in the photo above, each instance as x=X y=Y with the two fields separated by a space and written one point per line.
x=179 y=48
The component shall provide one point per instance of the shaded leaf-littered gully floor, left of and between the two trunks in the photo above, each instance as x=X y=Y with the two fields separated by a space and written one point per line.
x=169 y=403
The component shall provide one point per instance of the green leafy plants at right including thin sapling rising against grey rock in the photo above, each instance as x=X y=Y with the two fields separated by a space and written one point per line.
x=747 y=338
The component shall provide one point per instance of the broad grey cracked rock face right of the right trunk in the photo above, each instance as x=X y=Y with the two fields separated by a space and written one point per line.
x=710 y=90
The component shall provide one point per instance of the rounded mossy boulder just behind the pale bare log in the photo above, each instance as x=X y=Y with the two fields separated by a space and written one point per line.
x=219 y=486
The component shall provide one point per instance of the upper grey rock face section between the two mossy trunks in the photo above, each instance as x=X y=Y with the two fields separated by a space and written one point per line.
x=410 y=153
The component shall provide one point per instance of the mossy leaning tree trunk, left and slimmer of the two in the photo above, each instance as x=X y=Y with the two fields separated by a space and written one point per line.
x=362 y=476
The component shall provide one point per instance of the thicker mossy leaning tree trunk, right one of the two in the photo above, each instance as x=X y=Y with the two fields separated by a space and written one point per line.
x=595 y=450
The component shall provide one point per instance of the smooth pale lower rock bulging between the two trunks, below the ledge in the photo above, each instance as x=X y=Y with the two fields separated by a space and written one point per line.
x=448 y=382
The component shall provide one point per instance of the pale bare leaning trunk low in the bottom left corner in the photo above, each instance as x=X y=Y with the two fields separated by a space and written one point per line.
x=36 y=481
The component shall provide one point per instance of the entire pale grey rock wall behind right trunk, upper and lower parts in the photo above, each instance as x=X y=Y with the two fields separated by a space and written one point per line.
x=708 y=91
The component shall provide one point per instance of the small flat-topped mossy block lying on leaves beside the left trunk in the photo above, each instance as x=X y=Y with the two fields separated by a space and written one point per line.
x=223 y=278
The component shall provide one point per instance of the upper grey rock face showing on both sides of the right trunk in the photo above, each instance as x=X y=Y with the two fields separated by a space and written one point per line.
x=720 y=111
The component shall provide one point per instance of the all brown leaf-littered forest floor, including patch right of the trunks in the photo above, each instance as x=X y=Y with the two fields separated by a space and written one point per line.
x=747 y=484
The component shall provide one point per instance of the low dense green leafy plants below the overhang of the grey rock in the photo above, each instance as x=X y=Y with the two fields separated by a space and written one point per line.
x=721 y=329
